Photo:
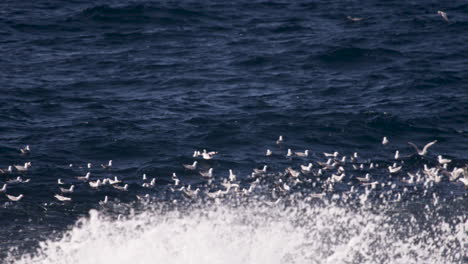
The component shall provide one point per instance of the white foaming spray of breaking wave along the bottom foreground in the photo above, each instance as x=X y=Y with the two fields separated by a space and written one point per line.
x=255 y=233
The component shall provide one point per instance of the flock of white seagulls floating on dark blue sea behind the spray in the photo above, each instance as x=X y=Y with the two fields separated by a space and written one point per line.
x=325 y=174
